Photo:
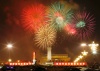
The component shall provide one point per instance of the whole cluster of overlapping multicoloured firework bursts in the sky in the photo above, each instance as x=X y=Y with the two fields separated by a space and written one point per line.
x=58 y=16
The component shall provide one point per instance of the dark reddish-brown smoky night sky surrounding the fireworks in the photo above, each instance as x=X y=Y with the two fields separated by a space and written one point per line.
x=12 y=31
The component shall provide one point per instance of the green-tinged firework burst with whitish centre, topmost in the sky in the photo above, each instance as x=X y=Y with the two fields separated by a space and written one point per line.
x=59 y=15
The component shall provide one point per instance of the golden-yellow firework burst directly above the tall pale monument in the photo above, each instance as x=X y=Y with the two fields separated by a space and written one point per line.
x=45 y=36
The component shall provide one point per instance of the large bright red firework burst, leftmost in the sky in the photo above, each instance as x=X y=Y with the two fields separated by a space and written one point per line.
x=33 y=17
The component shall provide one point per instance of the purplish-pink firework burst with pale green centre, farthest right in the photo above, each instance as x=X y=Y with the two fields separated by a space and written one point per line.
x=84 y=24
